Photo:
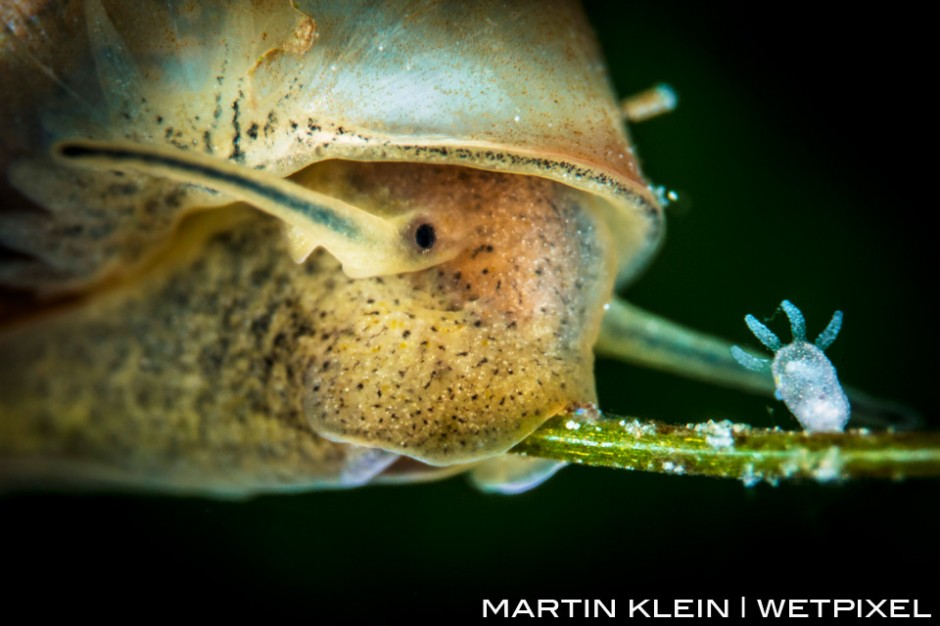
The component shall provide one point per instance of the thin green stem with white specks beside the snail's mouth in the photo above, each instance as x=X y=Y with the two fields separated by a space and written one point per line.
x=728 y=450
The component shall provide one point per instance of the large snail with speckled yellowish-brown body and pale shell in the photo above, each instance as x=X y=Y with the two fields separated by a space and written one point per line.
x=163 y=337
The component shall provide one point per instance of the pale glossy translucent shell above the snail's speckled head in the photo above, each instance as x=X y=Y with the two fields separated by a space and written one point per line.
x=513 y=86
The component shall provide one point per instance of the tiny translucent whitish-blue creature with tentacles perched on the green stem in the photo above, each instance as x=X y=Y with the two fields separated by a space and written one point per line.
x=806 y=380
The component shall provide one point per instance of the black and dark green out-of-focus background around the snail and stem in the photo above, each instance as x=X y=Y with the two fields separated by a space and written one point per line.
x=802 y=148
